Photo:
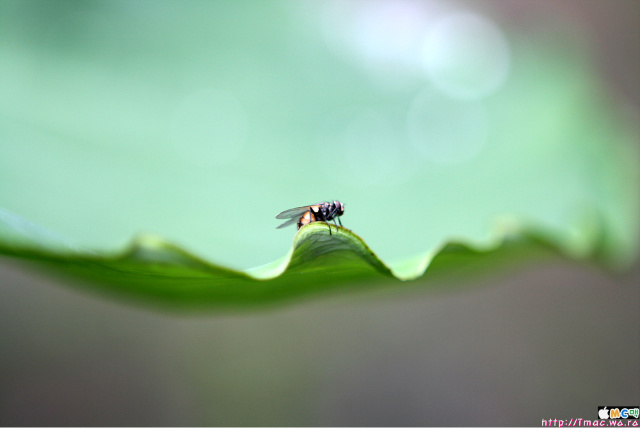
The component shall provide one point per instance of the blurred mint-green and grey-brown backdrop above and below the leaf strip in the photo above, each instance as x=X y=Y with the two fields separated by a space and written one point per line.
x=200 y=121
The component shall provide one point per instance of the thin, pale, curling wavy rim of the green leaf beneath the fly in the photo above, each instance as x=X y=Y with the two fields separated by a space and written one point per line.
x=153 y=249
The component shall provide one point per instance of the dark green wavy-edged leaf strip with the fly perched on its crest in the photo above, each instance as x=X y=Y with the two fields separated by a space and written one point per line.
x=153 y=271
